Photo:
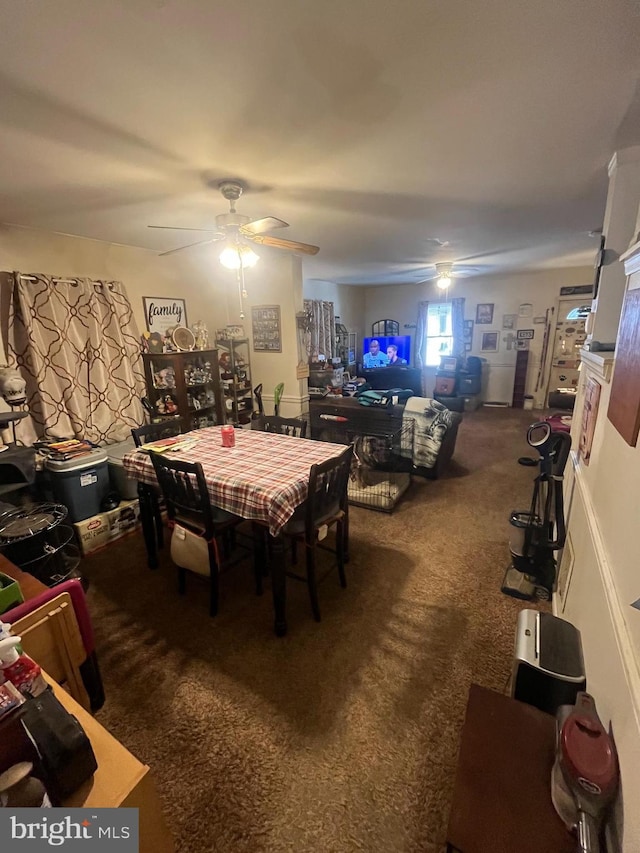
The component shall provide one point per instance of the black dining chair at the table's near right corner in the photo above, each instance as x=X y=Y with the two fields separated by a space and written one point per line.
x=326 y=506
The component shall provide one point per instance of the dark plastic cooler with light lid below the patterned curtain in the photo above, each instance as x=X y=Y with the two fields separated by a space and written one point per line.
x=80 y=484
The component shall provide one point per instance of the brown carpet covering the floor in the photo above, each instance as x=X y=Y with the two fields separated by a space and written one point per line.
x=342 y=736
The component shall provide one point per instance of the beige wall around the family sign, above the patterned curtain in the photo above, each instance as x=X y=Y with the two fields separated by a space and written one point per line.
x=209 y=290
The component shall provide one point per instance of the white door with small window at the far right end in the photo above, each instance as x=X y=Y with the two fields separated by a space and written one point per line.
x=568 y=339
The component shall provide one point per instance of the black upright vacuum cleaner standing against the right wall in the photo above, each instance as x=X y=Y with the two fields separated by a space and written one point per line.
x=540 y=530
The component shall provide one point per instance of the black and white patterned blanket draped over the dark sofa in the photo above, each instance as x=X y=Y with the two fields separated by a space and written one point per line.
x=431 y=420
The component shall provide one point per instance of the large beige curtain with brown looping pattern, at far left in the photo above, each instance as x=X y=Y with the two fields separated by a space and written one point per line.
x=77 y=346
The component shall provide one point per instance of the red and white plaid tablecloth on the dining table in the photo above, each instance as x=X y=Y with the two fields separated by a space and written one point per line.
x=264 y=477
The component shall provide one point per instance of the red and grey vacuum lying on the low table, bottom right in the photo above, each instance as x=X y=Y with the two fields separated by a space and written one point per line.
x=585 y=775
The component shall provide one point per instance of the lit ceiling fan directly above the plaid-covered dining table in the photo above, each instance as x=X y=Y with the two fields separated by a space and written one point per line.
x=235 y=228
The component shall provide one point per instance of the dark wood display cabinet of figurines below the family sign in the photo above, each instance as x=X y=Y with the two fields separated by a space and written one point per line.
x=184 y=386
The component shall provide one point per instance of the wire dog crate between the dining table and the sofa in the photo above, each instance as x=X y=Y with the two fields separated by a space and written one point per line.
x=382 y=462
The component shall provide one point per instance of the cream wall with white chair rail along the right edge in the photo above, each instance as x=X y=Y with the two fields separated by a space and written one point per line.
x=601 y=562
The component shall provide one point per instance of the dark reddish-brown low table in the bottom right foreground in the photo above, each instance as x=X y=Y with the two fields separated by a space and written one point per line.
x=502 y=795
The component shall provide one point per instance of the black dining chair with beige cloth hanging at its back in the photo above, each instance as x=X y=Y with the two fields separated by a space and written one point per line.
x=198 y=528
